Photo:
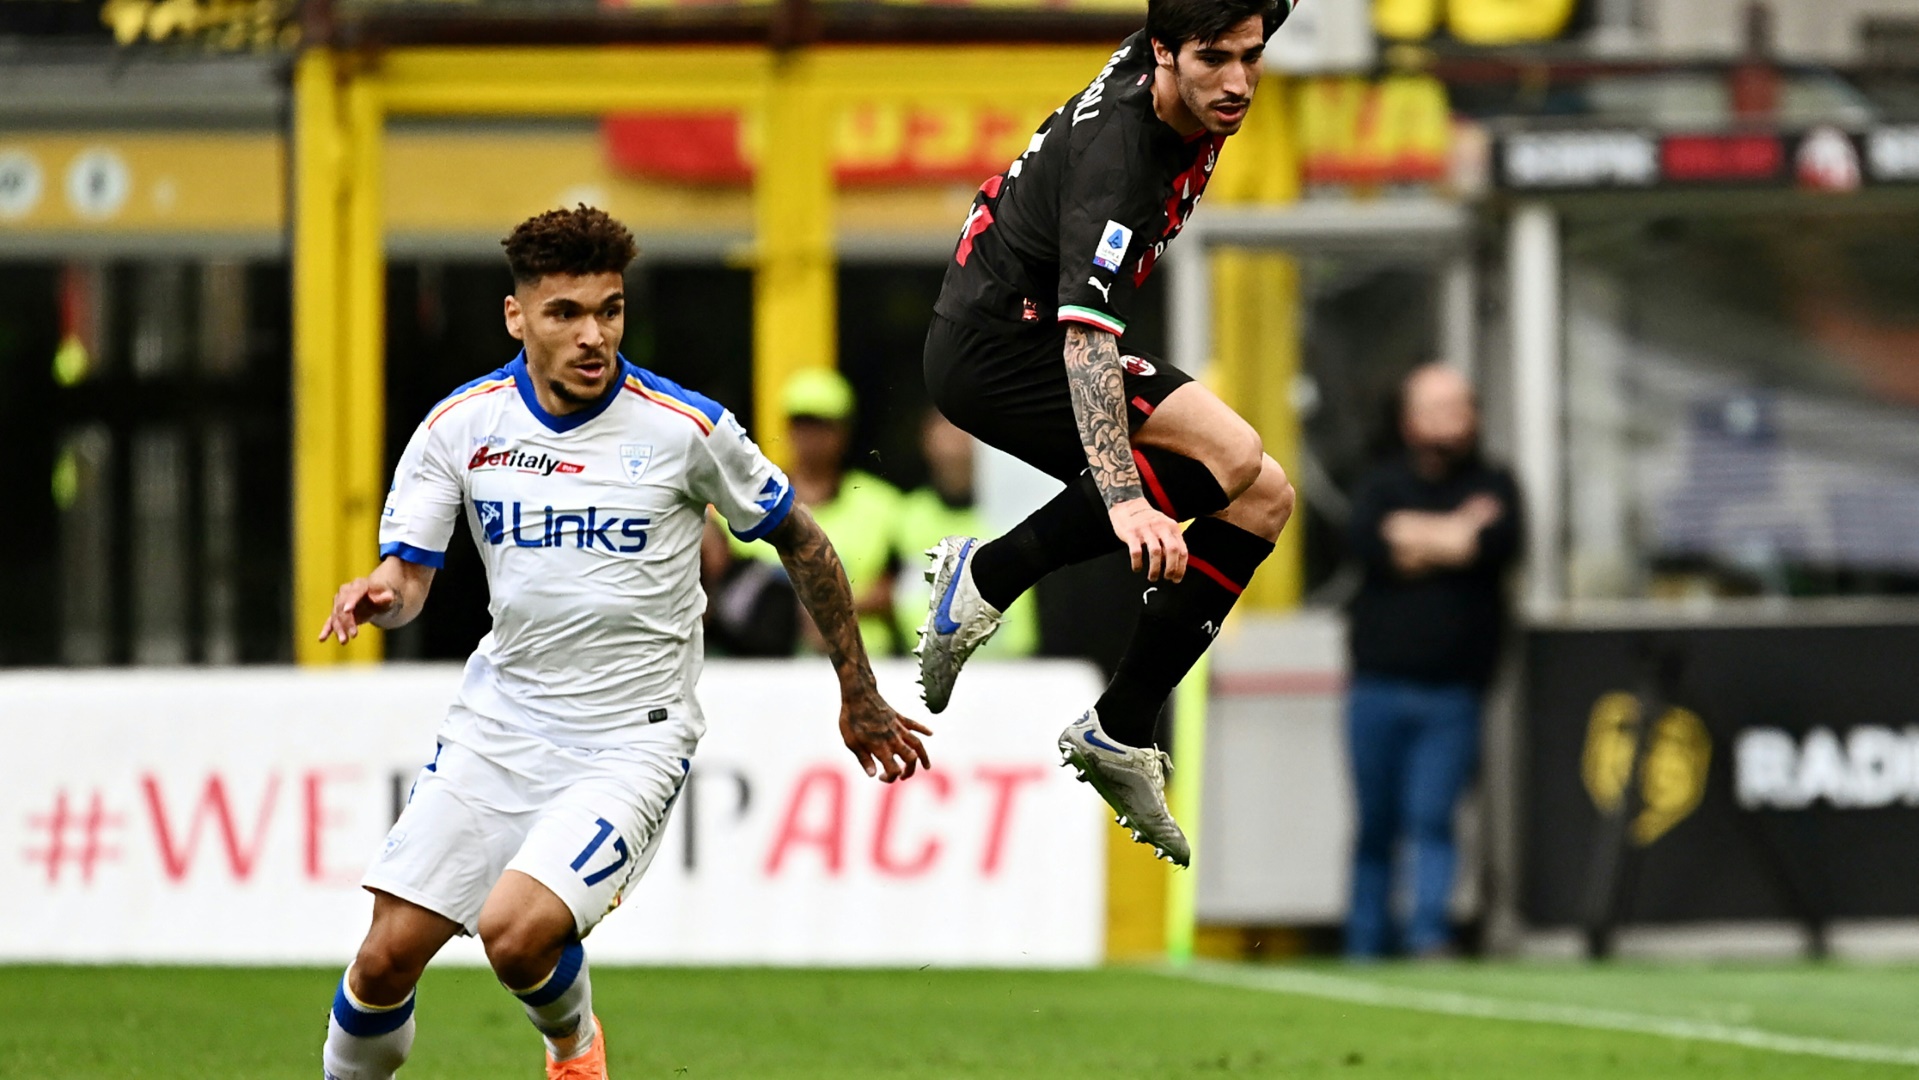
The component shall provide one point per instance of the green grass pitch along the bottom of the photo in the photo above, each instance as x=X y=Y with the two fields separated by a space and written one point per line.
x=83 y=1023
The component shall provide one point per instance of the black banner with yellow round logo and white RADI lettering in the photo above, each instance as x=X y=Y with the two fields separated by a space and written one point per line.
x=1780 y=780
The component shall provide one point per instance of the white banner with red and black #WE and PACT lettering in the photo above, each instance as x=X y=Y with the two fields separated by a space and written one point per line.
x=227 y=816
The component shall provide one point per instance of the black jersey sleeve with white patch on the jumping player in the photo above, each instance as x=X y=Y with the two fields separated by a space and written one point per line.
x=1106 y=223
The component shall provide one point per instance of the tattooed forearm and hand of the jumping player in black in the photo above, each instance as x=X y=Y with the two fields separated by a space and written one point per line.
x=1101 y=410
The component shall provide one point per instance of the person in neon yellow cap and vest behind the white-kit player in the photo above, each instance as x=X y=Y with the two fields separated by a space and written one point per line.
x=857 y=509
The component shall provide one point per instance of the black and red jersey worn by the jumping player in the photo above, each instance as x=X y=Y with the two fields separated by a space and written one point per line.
x=1076 y=225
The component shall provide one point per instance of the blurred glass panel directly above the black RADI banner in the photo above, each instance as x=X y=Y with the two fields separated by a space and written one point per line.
x=1741 y=408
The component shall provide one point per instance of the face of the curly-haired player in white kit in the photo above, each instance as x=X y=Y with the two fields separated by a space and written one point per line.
x=573 y=329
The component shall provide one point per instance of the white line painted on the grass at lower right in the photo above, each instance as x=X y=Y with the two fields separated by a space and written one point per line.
x=1362 y=993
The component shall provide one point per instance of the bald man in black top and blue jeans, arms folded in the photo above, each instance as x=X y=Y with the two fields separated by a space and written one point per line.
x=1436 y=530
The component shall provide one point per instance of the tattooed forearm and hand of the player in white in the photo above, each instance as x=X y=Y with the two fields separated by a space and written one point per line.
x=886 y=743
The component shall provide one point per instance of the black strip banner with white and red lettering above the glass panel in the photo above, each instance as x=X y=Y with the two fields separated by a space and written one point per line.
x=1818 y=160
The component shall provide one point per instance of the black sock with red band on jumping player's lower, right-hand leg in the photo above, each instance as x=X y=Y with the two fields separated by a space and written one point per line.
x=1177 y=624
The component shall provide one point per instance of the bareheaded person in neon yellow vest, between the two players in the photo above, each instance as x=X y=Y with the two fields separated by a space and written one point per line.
x=939 y=509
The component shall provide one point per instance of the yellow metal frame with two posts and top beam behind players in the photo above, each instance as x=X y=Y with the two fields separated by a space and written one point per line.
x=343 y=105
